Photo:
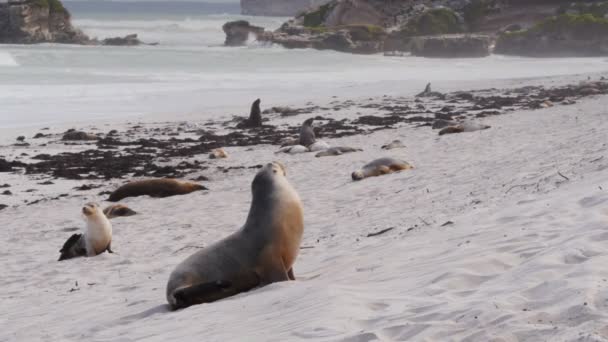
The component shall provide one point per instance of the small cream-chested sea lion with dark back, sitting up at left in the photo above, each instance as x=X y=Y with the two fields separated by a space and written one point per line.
x=96 y=239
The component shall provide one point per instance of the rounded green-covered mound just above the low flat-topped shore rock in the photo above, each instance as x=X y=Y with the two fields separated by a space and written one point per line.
x=433 y=22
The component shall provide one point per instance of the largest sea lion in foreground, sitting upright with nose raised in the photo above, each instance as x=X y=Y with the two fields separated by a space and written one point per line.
x=263 y=251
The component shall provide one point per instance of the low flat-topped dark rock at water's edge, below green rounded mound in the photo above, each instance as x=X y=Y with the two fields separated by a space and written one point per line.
x=451 y=46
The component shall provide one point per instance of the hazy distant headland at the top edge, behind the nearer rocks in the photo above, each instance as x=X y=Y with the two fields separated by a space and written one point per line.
x=286 y=8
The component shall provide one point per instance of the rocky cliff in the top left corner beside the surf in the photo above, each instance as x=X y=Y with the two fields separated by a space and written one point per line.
x=37 y=21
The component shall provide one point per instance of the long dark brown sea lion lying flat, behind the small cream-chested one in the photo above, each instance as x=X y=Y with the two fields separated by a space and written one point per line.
x=163 y=187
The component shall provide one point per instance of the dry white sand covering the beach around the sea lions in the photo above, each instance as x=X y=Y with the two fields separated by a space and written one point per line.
x=524 y=260
